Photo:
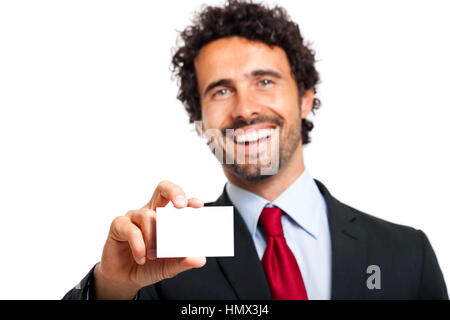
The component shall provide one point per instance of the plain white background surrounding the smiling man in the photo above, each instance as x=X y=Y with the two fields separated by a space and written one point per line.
x=89 y=123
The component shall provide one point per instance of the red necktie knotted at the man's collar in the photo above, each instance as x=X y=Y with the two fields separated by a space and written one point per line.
x=282 y=271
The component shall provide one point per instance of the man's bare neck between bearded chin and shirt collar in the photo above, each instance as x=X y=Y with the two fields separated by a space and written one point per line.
x=272 y=187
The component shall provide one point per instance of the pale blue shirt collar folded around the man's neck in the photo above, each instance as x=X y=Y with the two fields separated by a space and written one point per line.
x=301 y=201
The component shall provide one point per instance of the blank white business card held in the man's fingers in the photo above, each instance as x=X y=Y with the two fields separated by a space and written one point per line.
x=194 y=232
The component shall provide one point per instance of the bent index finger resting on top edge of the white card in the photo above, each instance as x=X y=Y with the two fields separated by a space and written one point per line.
x=165 y=192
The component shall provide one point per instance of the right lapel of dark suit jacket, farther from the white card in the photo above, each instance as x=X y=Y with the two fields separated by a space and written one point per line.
x=348 y=250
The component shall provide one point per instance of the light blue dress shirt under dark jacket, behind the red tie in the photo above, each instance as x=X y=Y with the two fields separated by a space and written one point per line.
x=305 y=227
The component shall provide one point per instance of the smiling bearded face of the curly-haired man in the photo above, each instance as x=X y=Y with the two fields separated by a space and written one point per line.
x=248 y=87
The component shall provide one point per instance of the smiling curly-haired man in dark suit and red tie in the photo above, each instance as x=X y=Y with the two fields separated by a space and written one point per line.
x=245 y=66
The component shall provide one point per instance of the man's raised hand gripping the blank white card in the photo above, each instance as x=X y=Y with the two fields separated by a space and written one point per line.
x=129 y=256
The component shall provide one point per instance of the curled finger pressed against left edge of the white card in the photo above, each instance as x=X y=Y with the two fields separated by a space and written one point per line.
x=145 y=220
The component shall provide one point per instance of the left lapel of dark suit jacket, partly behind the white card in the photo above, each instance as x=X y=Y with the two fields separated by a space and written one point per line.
x=243 y=271
